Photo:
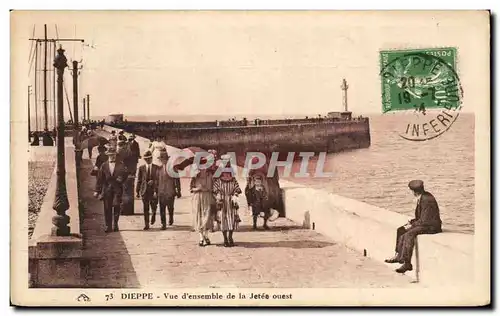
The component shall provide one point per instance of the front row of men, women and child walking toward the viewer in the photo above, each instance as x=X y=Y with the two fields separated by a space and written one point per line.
x=214 y=196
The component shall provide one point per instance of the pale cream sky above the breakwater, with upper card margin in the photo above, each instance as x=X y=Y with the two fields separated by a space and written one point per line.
x=244 y=63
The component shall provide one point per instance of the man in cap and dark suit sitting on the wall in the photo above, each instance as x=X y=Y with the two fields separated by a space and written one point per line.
x=426 y=221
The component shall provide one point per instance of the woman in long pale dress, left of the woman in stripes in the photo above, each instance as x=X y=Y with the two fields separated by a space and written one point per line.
x=201 y=187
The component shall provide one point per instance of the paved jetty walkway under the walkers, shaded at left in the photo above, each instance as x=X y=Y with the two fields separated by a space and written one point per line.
x=285 y=256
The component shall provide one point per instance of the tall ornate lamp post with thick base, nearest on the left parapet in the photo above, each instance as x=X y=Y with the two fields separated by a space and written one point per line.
x=61 y=204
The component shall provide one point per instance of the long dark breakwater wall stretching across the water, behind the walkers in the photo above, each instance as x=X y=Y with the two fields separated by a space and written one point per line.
x=306 y=135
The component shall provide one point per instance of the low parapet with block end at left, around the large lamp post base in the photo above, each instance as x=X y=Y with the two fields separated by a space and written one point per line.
x=55 y=260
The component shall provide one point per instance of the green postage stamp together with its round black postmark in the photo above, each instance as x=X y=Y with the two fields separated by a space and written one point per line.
x=424 y=85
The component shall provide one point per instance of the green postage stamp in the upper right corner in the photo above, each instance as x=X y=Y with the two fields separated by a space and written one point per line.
x=419 y=79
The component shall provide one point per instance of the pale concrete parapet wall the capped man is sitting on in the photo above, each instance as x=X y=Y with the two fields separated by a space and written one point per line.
x=444 y=259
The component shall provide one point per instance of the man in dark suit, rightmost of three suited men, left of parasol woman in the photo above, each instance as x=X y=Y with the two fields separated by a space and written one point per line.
x=168 y=189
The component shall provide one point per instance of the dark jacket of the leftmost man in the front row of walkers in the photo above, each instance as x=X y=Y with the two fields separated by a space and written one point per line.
x=110 y=186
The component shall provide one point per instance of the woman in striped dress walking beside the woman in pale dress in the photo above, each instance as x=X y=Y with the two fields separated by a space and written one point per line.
x=226 y=190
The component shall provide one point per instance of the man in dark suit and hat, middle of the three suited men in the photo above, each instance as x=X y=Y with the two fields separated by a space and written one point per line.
x=147 y=186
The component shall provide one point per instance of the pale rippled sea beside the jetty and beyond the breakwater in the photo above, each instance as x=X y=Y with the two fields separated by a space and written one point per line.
x=379 y=175
